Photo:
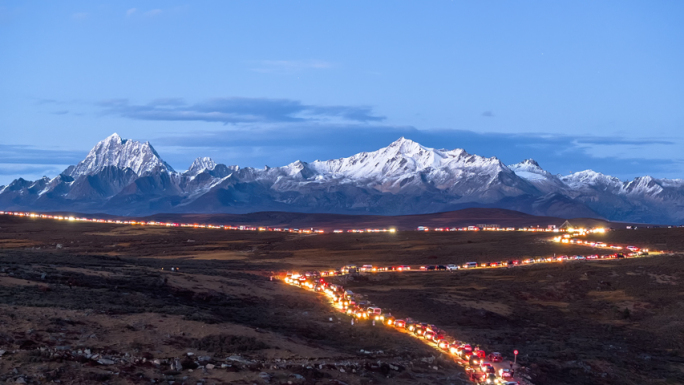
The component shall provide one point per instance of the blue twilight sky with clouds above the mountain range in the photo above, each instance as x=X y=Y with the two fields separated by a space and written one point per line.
x=572 y=84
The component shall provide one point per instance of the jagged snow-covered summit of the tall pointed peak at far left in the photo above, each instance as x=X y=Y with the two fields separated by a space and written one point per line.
x=122 y=153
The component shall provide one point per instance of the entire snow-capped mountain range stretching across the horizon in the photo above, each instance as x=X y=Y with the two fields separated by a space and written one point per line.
x=127 y=177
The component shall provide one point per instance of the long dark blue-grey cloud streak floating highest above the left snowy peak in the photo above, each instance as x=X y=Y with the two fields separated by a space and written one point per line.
x=237 y=110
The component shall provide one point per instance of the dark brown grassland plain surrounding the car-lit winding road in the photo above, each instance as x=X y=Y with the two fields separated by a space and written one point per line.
x=73 y=294
